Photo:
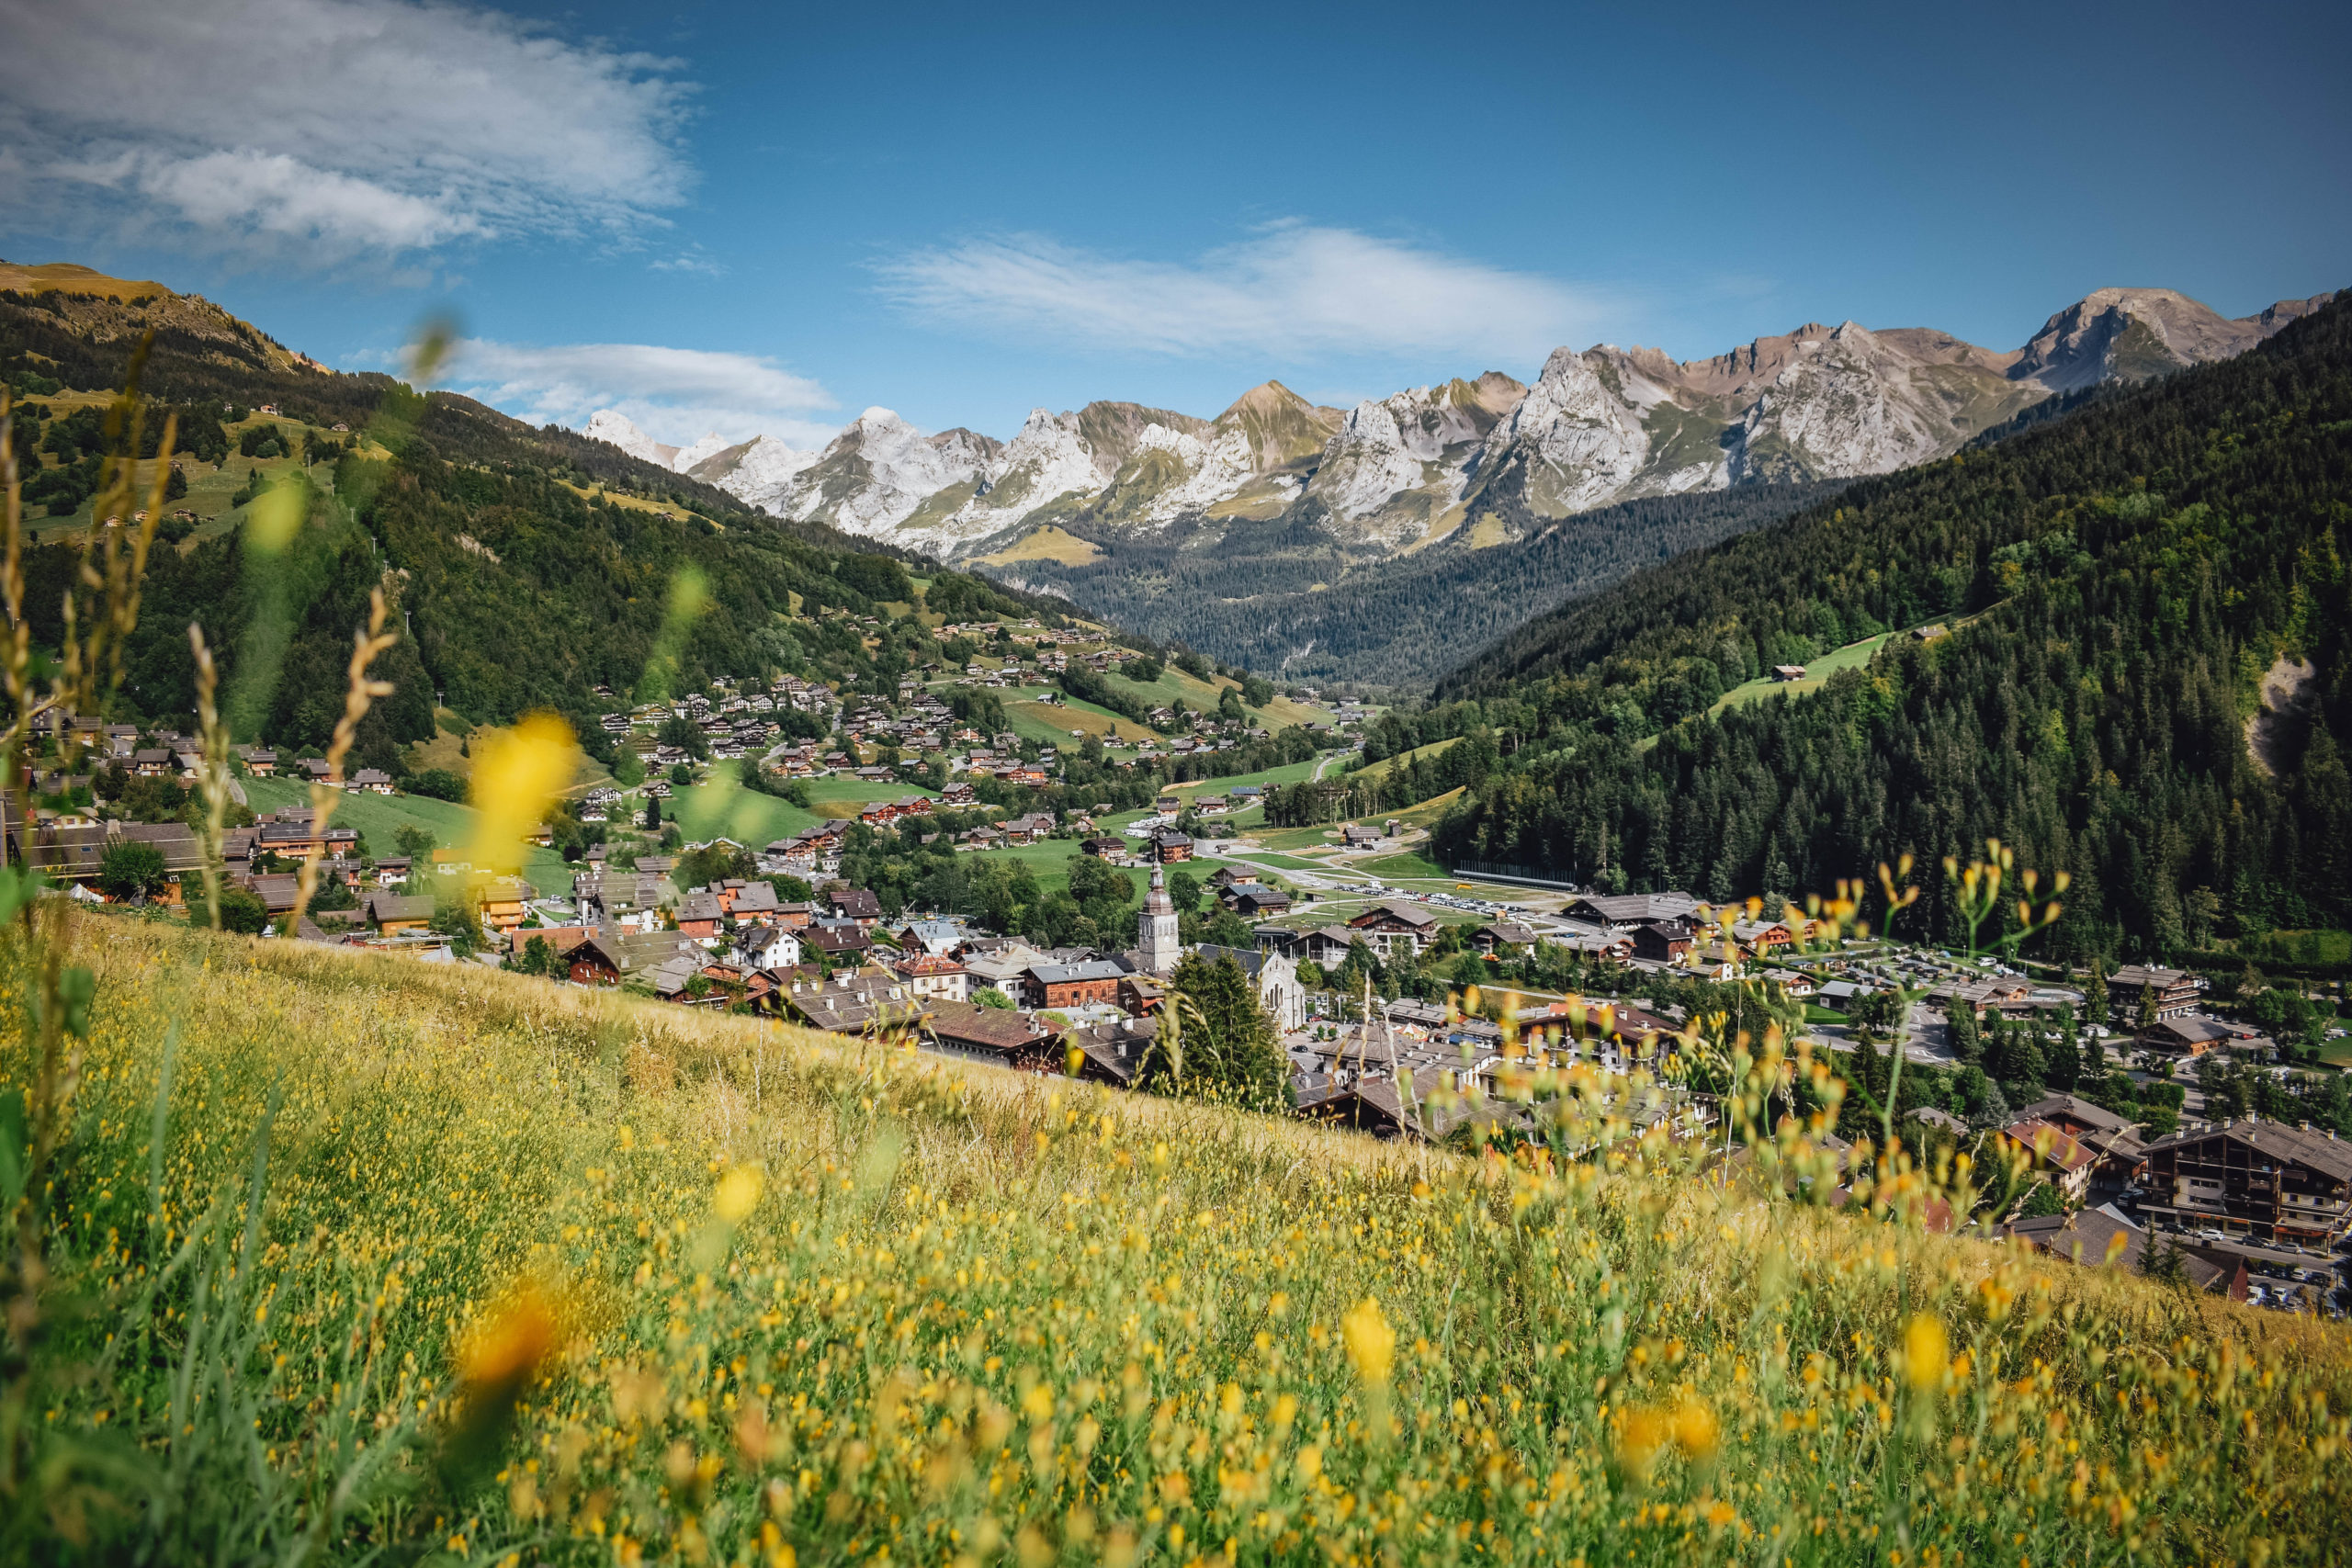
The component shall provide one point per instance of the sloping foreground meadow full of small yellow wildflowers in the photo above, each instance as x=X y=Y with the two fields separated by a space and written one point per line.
x=761 y=1292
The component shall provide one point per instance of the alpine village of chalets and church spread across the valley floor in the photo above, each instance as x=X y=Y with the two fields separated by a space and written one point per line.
x=970 y=859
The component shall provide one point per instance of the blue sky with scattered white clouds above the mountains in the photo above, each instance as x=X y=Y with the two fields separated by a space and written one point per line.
x=773 y=217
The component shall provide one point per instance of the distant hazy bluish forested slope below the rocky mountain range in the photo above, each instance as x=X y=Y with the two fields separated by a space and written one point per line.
x=1299 y=605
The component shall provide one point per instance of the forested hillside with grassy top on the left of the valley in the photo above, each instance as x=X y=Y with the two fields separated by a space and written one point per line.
x=523 y=565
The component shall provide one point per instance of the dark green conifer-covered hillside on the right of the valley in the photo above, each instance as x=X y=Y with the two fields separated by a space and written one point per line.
x=2118 y=584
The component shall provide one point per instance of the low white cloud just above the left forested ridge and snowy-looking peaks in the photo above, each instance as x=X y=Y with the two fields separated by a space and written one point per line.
x=671 y=394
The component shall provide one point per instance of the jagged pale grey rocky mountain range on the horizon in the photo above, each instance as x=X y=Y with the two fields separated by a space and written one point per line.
x=1478 y=460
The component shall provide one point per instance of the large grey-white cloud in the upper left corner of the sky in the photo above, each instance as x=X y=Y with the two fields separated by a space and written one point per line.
x=330 y=130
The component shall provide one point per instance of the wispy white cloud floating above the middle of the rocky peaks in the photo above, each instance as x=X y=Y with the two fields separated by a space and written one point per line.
x=1292 y=293
